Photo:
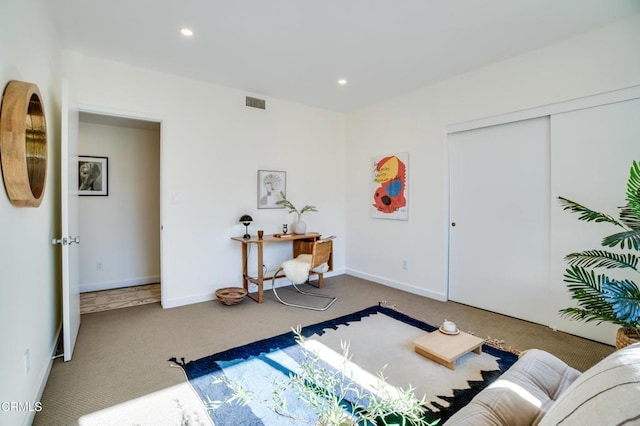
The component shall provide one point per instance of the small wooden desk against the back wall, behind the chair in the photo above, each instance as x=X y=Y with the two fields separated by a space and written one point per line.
x=298 y=247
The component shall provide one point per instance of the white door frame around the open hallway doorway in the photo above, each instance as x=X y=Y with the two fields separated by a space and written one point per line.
x=154 y=118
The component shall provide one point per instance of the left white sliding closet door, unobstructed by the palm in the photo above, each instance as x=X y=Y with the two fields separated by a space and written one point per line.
x=499 y=218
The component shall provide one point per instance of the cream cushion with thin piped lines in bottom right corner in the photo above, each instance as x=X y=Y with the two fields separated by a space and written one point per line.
x=607 y=393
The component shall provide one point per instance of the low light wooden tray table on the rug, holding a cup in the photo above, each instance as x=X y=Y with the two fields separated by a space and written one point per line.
x=445 y=349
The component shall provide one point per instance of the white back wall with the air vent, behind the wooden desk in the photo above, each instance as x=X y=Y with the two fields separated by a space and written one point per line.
x=211 y=148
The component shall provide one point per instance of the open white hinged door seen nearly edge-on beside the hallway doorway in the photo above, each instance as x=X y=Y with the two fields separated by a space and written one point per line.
x=69 y=214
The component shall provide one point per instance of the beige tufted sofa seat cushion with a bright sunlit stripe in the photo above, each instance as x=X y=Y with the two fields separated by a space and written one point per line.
x=521 y=395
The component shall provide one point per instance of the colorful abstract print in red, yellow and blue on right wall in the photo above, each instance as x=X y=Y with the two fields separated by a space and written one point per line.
x=390 y=196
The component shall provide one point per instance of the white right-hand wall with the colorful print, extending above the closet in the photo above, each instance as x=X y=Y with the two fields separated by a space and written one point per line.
x=599 y=61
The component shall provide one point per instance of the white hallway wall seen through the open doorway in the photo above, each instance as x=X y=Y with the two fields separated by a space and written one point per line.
x=122 y=230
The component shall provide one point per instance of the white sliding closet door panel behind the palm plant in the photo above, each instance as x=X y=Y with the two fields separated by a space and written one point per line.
x=591 y=154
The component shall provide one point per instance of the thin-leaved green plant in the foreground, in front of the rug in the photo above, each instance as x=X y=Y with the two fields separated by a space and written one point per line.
x=334 y=397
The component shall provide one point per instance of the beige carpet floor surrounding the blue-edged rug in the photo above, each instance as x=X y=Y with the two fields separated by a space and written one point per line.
x=122 y=354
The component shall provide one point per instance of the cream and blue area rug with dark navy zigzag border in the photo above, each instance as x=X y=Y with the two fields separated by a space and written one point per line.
x=380 y=339
